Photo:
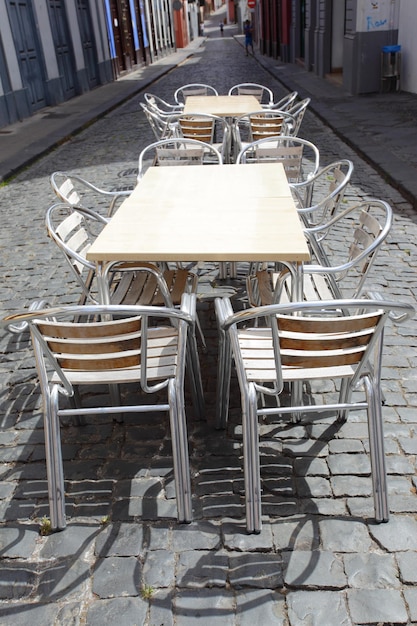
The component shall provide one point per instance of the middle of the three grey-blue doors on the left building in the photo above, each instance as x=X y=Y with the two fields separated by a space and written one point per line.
x=63 y=48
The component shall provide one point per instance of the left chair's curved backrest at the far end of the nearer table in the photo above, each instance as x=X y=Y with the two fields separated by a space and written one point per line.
x=177 y=151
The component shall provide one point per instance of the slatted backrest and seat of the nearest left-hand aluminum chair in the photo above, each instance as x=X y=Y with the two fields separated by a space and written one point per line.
x=97 y=344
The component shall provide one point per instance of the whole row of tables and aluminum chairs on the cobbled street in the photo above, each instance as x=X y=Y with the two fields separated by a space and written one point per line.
x=253 y=196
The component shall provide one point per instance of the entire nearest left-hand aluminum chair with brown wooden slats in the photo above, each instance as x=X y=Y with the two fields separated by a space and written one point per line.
x=146 y=346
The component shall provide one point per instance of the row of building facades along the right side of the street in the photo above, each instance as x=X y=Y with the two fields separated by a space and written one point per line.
x=342 y=39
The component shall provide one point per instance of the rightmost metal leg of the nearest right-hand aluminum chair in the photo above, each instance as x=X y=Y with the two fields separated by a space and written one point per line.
x=376 y=449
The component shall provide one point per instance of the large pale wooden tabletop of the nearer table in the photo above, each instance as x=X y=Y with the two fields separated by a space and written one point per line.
x=206 y=213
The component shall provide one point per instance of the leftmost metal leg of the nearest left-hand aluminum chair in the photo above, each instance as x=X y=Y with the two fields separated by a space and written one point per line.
x=54 y=467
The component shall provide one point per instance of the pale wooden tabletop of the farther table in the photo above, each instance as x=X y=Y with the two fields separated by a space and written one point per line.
x=224 y=106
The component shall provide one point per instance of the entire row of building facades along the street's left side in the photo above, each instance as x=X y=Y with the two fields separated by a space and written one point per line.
x=54 y=50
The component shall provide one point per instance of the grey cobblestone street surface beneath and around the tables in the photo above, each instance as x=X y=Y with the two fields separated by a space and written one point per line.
x=320 y=560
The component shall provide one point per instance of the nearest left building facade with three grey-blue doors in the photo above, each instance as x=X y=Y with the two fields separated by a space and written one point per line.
x=50 y=51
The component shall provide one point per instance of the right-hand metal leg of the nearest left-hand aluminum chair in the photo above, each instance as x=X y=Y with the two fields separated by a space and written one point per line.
x=180 y=453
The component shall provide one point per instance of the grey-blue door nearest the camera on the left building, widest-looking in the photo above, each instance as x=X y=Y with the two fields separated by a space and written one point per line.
x=27 y=47
